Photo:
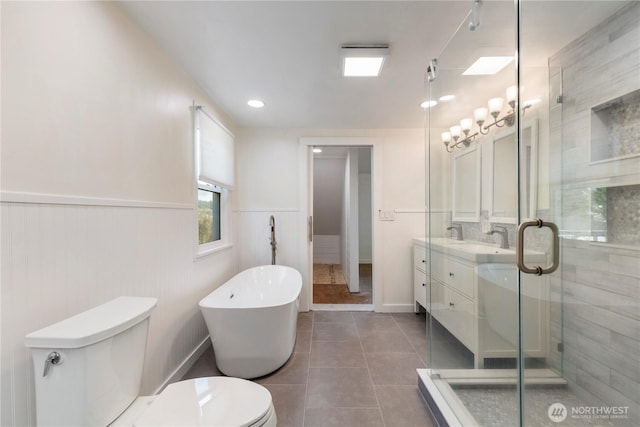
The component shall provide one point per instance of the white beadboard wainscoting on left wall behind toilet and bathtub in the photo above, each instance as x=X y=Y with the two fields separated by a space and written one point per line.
x=61 y=259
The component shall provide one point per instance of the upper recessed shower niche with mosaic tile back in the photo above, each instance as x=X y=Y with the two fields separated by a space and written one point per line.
x=615 y=128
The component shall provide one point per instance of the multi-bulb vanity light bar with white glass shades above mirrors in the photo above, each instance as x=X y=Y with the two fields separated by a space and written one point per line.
x=452 y=138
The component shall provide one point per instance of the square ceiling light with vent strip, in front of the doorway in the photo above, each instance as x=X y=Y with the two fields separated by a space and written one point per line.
x=363 y=60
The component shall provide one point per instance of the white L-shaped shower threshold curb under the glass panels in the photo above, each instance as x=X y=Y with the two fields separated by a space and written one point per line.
x=437 y=387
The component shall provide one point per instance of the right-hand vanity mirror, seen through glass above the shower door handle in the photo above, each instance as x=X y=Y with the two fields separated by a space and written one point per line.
x=503 y=172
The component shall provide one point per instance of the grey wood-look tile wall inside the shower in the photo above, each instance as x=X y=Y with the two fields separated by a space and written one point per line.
x=595 y=293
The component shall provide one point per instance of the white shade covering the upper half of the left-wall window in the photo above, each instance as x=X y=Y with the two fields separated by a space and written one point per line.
x=216 y=152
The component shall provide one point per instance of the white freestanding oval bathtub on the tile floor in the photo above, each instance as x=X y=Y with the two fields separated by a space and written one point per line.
x=252 y=320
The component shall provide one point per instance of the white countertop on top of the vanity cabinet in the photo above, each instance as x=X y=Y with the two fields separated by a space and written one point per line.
x=479 y=252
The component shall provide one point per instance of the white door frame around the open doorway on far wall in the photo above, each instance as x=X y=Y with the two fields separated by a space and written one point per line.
x=305 y=190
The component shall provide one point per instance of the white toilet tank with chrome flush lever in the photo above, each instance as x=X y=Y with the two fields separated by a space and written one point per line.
x=101 y=355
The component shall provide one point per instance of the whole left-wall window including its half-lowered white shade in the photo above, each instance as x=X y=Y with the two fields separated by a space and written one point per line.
x=214 y=182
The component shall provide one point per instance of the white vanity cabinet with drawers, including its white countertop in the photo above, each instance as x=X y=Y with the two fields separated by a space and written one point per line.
x=471 y=291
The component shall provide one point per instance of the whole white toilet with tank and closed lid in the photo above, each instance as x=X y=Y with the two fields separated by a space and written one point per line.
x=88 y=370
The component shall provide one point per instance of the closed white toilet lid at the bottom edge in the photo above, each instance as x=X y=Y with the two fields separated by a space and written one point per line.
x=210 y=401
